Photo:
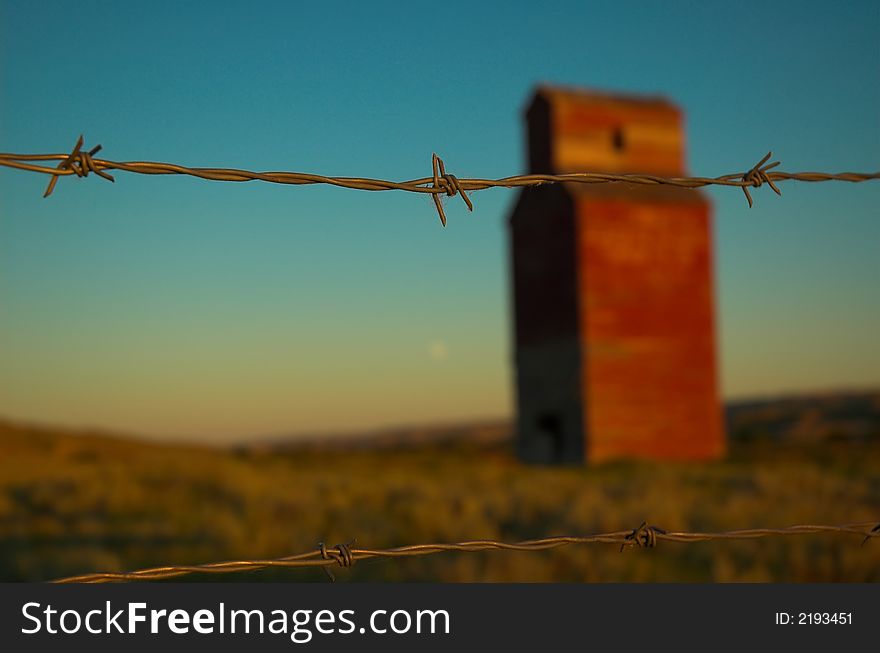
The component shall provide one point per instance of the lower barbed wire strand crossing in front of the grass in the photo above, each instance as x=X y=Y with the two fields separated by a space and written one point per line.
x=345 y=555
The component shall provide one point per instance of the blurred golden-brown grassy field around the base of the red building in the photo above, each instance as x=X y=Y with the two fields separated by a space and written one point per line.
x=81 y=503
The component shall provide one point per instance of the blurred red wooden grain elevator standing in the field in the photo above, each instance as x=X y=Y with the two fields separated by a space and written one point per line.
x=612 y=289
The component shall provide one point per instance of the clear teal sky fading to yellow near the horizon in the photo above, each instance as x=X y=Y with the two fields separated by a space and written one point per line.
x=176 y=307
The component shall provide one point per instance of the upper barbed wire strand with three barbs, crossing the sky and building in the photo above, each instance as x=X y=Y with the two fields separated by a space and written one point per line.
x=81 y=162
